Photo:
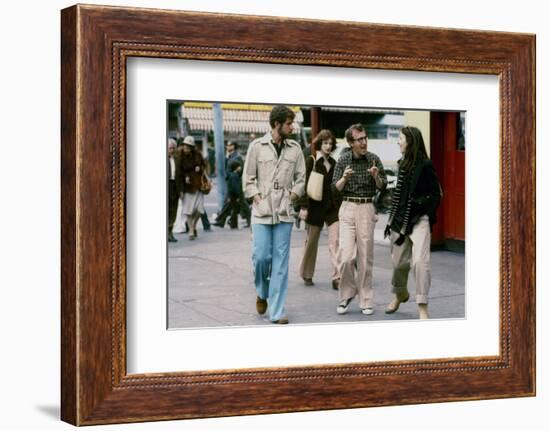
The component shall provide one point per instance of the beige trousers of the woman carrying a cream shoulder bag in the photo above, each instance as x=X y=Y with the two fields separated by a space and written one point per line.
x=309 y=258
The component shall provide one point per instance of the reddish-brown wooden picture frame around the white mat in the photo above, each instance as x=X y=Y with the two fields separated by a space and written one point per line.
x=95 y=43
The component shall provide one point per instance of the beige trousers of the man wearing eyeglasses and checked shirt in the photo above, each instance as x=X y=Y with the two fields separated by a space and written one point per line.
x=357 y=222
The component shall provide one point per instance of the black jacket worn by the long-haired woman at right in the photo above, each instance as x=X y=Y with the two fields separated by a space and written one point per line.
x=425 y=193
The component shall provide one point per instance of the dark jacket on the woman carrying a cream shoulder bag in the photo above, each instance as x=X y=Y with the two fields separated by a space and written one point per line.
x=325 y=210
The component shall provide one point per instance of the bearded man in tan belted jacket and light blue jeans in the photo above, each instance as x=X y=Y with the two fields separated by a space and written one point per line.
x=274 y=177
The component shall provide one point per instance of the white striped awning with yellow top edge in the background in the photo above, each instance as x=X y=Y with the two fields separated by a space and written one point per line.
x=236 y=117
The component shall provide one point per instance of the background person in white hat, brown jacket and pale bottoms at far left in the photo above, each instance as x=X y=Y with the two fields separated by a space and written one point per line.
x=192 y=175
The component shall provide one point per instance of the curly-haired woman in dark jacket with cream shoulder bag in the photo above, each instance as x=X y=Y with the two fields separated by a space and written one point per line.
x=319 y=207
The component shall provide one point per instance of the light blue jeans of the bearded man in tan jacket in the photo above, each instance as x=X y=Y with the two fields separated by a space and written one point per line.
x=270 y=255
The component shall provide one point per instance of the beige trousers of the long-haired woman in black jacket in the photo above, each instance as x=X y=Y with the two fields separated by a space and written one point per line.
x=415 y=252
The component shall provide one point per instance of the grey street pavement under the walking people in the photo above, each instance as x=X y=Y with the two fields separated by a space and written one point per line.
x=211 y=285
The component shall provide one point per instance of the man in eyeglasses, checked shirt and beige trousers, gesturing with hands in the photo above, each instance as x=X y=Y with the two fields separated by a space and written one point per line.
x=357 y=175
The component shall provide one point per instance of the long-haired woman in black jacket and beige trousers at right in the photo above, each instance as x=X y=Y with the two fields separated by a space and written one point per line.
x=412 y=215
